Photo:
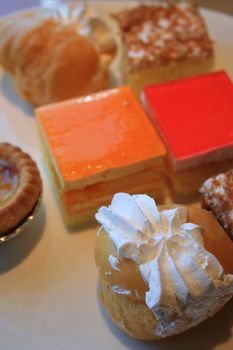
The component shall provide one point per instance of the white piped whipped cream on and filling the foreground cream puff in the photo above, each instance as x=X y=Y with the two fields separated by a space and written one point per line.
x=186 y=282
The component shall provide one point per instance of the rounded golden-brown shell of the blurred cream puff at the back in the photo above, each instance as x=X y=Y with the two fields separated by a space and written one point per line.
x=50 y=55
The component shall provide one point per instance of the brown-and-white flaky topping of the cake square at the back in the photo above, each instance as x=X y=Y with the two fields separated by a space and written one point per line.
x=158 y=35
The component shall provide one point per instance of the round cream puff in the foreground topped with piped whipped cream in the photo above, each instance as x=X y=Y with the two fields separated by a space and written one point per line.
x=162 y=270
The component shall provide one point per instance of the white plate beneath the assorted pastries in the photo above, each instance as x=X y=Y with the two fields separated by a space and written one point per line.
x=49 y=282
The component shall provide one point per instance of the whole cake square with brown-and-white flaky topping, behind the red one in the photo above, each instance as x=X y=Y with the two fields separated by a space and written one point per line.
x=163 y=42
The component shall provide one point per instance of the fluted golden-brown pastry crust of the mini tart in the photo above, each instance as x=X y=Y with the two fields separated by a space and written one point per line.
x=28 y=189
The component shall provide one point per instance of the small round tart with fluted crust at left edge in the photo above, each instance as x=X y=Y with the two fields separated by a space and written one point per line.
x=20 y=186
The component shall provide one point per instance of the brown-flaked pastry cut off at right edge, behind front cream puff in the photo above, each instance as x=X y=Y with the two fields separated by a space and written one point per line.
x=217 y=196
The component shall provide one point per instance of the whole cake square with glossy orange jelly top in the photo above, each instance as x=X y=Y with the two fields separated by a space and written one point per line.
x=98 y=145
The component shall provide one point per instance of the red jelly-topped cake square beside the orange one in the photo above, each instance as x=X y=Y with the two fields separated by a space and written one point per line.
x=194 y=119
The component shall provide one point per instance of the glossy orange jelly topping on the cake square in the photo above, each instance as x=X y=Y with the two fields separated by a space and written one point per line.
x=98 y=133
